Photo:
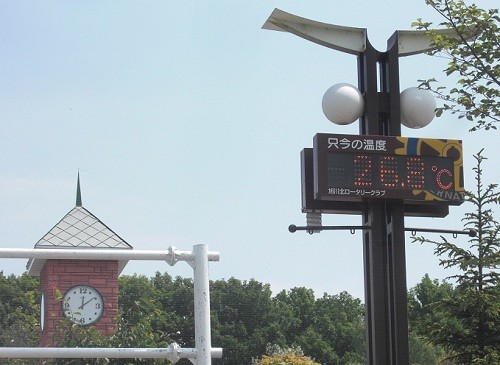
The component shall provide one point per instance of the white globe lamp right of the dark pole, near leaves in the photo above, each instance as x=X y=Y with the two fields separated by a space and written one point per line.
x=418 y=107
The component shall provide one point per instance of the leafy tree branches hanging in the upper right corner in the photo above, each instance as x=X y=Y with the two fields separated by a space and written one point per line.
x=473 y=55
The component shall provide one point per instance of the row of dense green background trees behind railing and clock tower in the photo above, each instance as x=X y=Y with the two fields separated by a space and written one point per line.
x=245 y=315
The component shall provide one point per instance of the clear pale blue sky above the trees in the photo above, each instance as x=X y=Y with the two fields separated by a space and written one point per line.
x=186 y=120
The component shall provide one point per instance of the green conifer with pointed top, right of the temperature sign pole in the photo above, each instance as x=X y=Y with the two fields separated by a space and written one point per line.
x=470 y=329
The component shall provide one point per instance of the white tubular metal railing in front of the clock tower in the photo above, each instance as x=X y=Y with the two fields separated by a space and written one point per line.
x=198 y=259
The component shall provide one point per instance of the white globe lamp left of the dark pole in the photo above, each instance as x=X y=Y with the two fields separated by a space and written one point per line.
x=342 y=104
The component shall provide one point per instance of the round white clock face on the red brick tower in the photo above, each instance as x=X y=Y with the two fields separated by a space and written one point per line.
x=83 y=304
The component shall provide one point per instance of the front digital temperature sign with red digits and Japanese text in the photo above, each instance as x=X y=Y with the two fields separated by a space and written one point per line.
x=348 y=167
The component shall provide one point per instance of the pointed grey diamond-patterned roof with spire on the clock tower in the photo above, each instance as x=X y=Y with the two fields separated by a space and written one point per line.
x=79 y=229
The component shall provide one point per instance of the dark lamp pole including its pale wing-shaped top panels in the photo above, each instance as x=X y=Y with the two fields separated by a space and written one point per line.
x=384 y=240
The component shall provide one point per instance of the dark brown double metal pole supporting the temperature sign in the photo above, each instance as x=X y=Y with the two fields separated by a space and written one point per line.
x=384 y=243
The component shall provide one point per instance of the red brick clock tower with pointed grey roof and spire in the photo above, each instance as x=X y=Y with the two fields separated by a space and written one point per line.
x=85 y=291
